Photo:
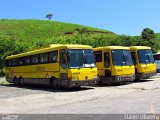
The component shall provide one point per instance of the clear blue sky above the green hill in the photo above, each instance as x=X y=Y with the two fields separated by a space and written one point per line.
x=127 y=17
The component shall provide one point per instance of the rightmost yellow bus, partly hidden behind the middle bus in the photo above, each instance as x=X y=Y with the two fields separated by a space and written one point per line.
x=144 y=62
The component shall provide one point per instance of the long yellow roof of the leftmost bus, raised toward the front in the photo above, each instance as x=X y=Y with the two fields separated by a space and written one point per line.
x=50 y=48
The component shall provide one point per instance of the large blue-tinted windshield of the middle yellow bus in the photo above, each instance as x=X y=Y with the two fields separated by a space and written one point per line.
x=121 y=58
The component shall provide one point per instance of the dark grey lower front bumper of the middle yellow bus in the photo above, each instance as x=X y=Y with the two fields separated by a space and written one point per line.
x=116 y=79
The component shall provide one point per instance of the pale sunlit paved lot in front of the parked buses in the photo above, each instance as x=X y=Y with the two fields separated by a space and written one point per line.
x=134 y=97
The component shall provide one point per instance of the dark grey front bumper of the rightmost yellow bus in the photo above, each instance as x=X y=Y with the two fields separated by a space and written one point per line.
x=145 y=75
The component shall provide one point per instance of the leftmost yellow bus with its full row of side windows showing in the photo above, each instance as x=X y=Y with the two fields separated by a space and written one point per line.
x=55 y=65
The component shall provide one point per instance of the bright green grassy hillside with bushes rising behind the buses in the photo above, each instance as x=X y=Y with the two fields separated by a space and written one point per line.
x=17 y=36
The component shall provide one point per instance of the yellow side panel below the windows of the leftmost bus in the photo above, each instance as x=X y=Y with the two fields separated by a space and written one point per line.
x=34 y=71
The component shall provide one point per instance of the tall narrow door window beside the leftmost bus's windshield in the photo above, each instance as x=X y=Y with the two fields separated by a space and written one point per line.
x=63 y=59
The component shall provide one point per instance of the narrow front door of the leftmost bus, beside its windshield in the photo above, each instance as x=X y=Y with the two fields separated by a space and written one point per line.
x=63 y=65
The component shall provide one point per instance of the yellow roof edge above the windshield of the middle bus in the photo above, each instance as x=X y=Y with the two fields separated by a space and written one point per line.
x=111 y=47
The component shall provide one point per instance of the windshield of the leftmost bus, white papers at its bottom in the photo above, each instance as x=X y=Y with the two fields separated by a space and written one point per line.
x=80 y=58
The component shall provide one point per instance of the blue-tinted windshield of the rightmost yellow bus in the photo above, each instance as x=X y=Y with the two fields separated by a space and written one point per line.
x=145 y=56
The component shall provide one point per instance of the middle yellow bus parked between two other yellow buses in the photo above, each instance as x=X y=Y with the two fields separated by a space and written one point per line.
x=114 y=64
